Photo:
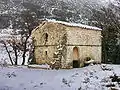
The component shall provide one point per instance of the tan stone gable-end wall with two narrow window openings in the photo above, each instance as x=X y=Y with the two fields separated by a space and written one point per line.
x=55 y=33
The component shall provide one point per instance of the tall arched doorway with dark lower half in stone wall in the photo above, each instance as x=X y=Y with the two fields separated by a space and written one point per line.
x=75 y=57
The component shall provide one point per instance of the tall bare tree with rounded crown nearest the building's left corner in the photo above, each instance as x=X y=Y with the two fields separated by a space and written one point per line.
x=26 y=22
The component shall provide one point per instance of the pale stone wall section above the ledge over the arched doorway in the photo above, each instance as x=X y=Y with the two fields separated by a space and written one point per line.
x=79 y=36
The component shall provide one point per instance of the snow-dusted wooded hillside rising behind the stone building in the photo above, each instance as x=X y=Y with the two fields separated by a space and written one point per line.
x=65 y=10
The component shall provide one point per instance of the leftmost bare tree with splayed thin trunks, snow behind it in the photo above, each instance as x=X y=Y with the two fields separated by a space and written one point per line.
x=12 y=46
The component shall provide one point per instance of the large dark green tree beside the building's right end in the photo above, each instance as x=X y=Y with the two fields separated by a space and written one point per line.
x=108 y=18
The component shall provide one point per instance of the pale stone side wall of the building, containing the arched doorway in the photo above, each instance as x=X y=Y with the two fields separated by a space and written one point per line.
x=87 y=41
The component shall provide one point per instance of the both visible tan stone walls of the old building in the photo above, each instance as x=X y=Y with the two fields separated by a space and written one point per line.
x=87 y=41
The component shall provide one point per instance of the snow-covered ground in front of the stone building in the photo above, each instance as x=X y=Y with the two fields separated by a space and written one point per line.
x=95 y=77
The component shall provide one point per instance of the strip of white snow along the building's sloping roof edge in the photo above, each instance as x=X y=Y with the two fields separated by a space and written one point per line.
x=74 y=24
